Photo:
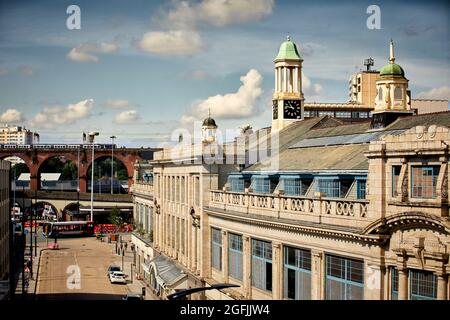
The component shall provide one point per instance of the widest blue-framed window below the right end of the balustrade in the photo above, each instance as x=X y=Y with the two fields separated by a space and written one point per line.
x=344 y=278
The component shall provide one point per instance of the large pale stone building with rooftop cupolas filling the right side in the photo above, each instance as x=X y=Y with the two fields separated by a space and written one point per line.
x=335 y=211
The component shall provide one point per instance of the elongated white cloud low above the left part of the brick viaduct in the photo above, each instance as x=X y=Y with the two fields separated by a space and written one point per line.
x=51 y=116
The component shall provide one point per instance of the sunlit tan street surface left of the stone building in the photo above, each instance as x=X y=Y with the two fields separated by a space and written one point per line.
x=58 y=271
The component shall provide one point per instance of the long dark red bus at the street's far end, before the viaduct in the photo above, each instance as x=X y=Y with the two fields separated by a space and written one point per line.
x=68 y=228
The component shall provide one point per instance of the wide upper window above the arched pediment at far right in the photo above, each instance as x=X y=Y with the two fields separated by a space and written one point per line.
x=424 y=180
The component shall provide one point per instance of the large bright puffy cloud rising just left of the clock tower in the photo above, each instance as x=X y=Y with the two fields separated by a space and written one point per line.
x=236 y=105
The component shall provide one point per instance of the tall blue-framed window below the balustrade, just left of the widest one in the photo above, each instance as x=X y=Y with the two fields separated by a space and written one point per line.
x=297 y=274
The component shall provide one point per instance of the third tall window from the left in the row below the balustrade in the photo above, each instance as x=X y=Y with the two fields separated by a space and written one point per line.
x=262 y=264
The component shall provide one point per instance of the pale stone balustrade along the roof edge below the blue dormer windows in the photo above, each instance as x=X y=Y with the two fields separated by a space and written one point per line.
x=331 y=211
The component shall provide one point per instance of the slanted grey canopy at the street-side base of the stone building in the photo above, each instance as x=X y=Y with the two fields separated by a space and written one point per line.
x=168 y=274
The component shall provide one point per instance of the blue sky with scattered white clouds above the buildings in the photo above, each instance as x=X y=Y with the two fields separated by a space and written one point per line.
x=144 y=70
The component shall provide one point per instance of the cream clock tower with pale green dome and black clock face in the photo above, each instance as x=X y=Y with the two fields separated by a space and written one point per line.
x=287 y=101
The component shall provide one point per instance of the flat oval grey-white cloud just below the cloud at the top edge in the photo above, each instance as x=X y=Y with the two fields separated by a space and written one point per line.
x=173 y=42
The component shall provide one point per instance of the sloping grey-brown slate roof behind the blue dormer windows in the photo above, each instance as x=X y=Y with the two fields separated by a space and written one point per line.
x=310 y=145
